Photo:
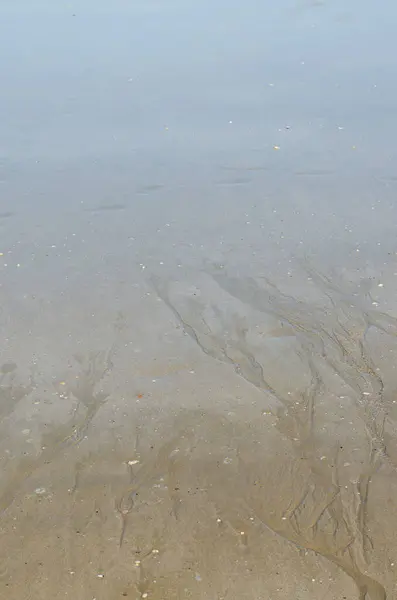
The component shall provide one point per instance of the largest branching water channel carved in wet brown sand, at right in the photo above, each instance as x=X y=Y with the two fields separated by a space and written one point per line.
x=324 y=511
